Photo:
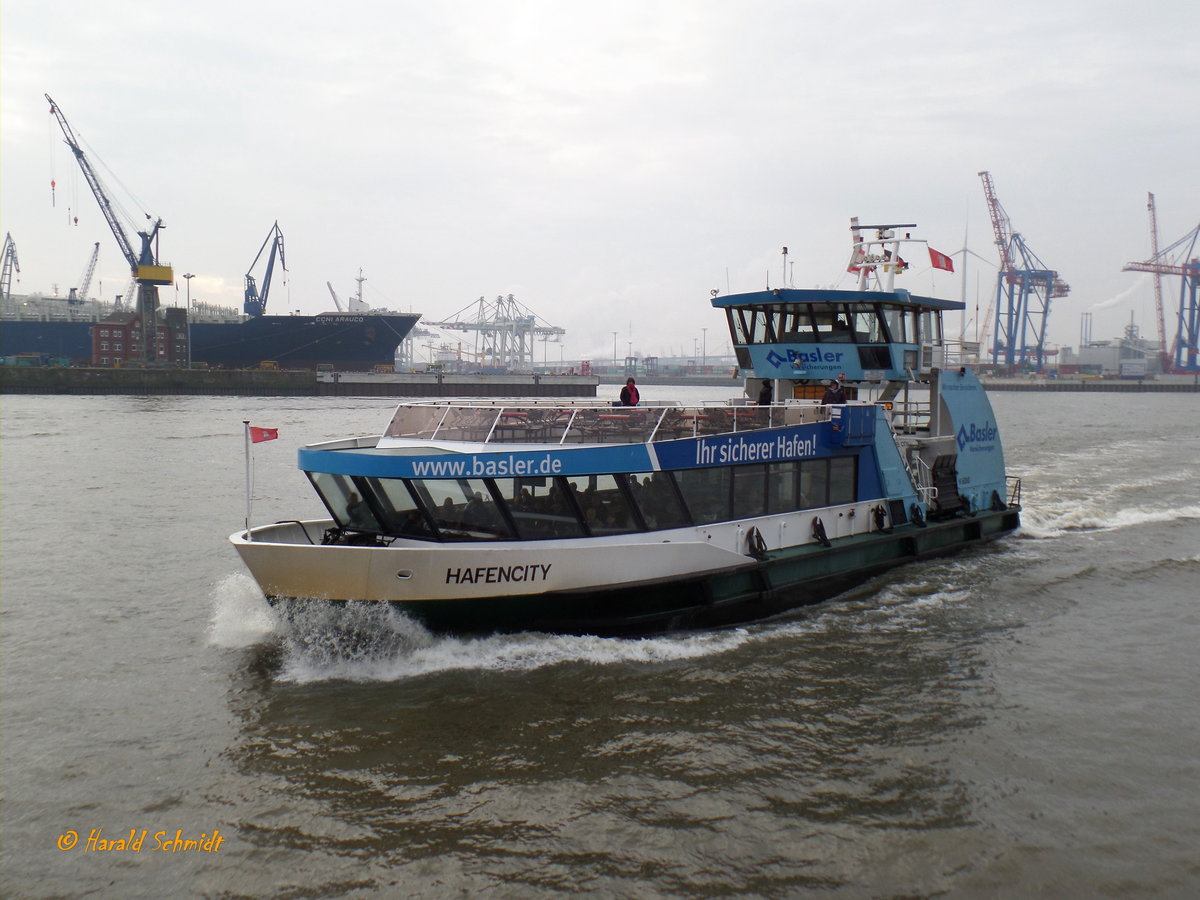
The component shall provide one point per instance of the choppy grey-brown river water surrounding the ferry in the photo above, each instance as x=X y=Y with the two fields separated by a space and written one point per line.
x=1019 y=722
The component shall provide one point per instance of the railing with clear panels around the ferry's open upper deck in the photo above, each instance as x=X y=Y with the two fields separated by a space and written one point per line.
x=539 y=423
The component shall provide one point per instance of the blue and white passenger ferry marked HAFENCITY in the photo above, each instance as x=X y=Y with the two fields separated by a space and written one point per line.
x=581 y=518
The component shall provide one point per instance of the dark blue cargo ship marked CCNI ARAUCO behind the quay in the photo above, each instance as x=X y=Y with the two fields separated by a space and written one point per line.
x=59 y=329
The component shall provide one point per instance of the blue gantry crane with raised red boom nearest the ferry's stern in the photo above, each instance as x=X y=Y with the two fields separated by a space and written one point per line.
x=1025 y=286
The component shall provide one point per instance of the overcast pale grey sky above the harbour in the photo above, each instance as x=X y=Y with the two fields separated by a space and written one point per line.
x=608 y=164
